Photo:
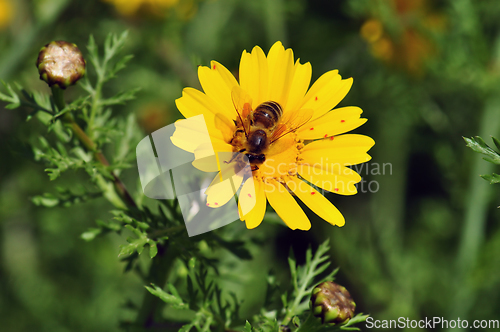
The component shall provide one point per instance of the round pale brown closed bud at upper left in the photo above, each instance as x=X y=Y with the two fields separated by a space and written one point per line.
x=61 y=64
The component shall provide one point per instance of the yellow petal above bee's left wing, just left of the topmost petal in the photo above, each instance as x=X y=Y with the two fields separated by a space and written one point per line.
x=254 y=77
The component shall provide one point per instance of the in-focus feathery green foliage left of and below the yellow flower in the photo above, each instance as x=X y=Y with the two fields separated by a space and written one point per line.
x=72 y=148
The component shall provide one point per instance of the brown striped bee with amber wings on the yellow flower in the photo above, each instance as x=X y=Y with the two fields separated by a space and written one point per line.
x=258 y=129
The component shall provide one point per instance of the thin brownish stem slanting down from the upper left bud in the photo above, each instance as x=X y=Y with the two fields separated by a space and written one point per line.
x=58 y=96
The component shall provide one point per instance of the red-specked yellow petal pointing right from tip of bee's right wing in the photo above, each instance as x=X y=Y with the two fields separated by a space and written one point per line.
x=335 y=122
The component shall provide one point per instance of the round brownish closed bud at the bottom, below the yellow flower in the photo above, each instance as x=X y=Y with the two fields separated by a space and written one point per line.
x=332 y=303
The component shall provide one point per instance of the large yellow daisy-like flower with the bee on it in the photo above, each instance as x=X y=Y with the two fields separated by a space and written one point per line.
x=314 y=153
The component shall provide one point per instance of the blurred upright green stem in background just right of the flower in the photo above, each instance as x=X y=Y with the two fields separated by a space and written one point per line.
x=388 y=208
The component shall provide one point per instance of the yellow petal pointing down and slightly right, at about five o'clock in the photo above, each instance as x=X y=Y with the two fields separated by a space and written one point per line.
x=285 y=206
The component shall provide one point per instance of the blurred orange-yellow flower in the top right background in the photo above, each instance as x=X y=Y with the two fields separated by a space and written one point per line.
x=411 y=45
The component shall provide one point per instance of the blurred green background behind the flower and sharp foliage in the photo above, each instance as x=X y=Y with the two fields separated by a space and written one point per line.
x=423 y=240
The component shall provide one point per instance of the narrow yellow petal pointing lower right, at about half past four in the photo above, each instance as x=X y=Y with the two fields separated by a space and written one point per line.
x=316 y=201
